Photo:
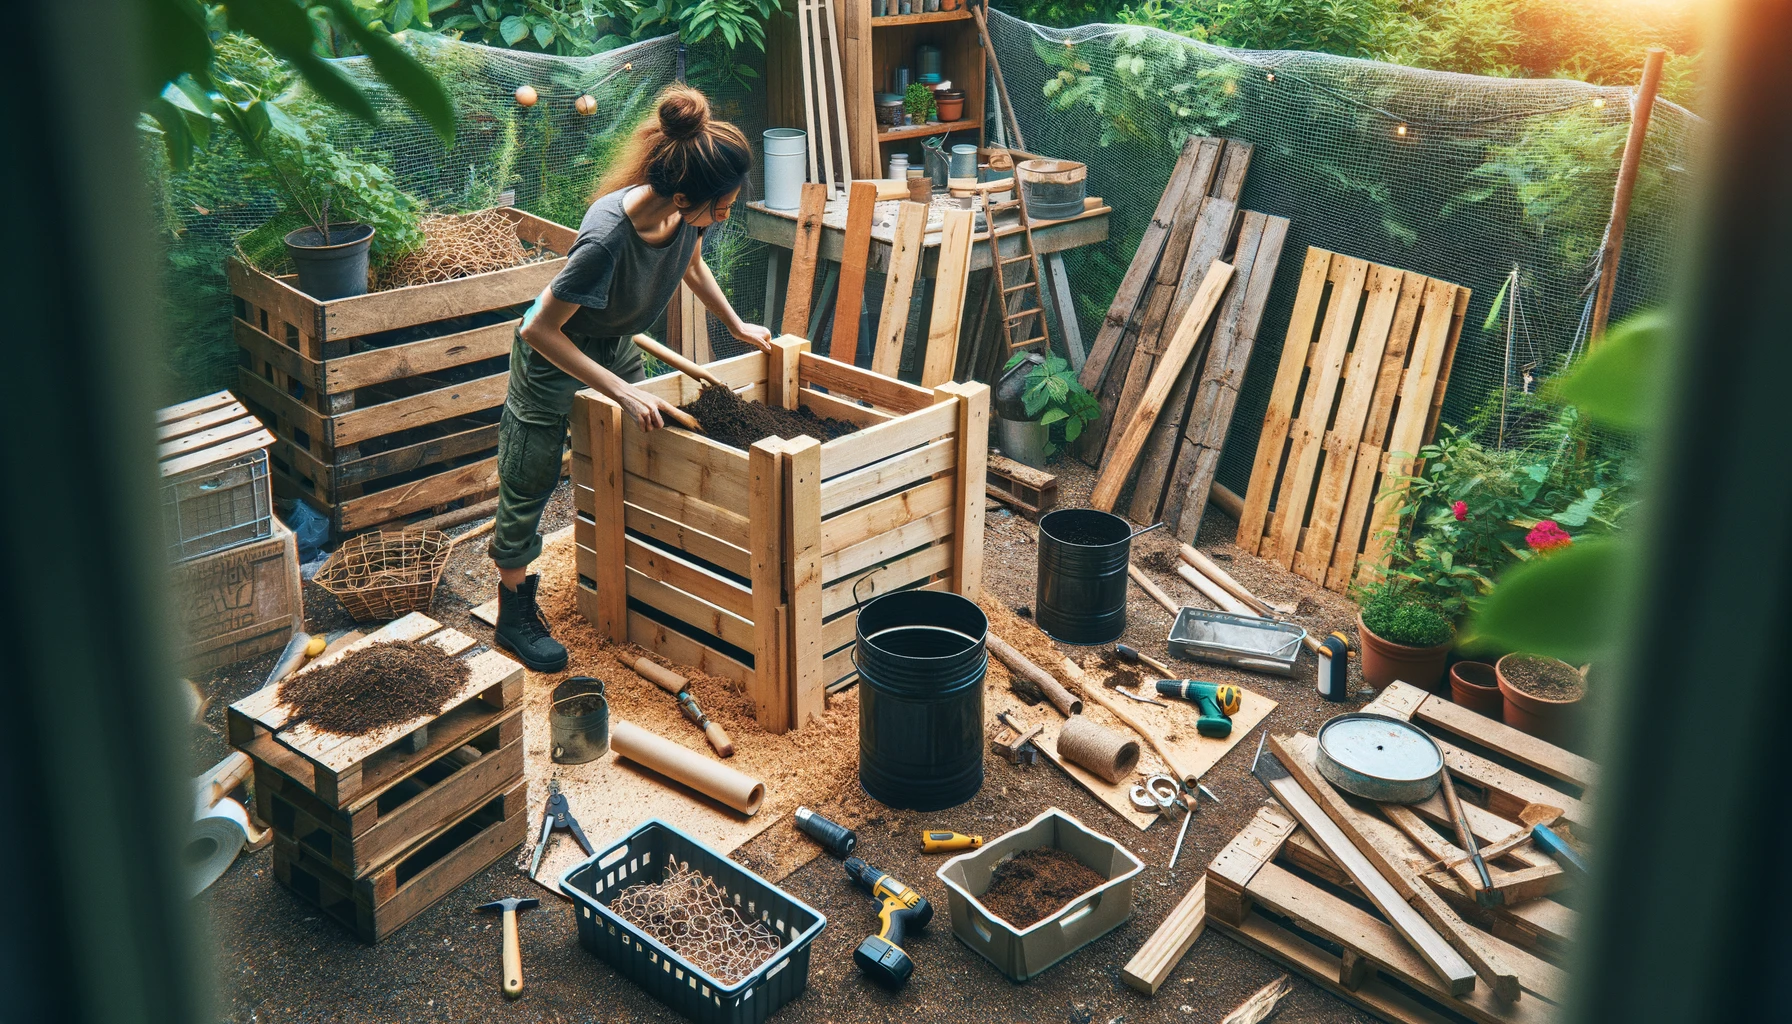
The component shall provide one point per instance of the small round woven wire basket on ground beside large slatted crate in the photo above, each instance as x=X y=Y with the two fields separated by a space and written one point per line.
x=381 y=577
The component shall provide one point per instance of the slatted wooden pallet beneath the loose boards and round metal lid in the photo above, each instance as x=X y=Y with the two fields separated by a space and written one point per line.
x=1275 y=889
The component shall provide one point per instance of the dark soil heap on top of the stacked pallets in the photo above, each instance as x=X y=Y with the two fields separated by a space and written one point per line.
x=375 y=688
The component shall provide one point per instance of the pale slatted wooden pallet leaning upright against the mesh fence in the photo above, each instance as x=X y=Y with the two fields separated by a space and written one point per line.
x=1359 y=392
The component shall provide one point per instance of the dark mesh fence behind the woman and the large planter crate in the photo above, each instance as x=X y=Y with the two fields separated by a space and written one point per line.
x=546 y=159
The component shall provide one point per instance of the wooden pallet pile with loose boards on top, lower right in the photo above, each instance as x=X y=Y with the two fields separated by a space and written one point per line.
x=1282 y=890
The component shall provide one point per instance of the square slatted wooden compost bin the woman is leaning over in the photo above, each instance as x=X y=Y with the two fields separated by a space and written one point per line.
x=746 y=564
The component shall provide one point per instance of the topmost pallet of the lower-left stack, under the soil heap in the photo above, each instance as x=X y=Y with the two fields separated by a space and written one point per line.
x=345 y=772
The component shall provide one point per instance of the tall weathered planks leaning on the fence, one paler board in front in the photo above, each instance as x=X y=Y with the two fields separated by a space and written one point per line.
x=1178 y=340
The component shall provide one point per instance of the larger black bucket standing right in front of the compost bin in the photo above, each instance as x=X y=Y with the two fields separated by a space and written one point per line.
x=922 y=672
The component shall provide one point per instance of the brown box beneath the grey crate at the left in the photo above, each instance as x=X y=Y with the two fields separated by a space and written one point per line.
x=241 y=602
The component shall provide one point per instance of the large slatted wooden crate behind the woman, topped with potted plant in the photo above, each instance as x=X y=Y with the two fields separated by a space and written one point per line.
x=386 y=404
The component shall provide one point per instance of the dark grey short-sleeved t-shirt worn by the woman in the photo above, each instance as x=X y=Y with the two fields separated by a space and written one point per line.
x=619 y=281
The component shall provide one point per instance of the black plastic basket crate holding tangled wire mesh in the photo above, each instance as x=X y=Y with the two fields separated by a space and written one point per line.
x=642 y=858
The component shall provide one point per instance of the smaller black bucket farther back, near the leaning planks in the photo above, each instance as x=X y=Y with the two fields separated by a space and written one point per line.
x=1081 y=587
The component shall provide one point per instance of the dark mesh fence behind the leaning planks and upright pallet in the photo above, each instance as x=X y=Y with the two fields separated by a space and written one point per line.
x=1456 y=177
